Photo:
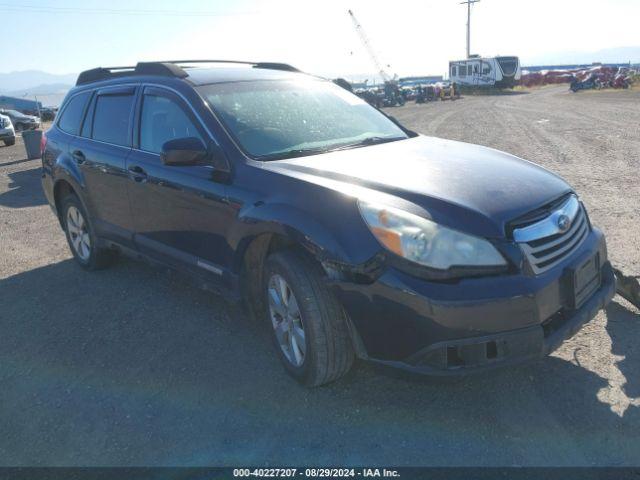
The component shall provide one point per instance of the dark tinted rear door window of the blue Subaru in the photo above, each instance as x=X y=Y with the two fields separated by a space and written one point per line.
x=112 y=118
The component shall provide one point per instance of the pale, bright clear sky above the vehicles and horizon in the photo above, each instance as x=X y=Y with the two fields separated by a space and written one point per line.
x=413 y=36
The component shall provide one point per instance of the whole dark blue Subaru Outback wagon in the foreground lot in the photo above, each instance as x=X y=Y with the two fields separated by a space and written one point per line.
x=351 y=235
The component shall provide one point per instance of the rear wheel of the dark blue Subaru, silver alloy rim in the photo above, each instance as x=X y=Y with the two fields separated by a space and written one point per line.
x=89 y=255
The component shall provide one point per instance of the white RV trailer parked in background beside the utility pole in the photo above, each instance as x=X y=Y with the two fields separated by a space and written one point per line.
x=500 y=72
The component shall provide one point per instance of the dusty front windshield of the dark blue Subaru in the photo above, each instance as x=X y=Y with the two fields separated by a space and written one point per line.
x=277 y=119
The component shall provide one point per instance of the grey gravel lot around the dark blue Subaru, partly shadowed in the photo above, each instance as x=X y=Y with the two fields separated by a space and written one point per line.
x=135 y=366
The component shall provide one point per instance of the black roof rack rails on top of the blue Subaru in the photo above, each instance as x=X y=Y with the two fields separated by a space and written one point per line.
x=169 y=68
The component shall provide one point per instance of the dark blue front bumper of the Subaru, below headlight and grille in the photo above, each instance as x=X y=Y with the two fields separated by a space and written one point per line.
x=474 y=324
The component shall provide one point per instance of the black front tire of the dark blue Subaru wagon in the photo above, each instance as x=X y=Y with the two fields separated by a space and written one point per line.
x=328 y=349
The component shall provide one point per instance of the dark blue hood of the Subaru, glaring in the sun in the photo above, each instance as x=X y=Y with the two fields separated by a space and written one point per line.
x=464 y=186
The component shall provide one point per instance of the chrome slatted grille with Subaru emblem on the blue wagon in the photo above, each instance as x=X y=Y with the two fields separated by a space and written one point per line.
x=546 y=243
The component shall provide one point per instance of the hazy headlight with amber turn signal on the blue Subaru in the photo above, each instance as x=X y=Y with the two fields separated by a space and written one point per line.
x=425 y=242
